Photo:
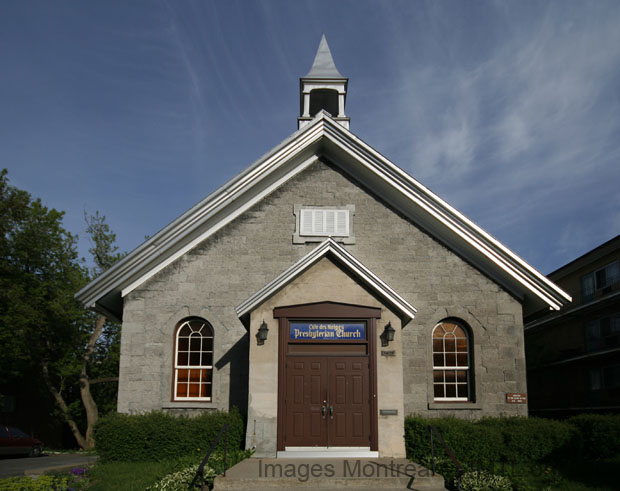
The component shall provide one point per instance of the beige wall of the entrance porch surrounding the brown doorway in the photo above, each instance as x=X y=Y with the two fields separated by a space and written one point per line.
x=323 y=280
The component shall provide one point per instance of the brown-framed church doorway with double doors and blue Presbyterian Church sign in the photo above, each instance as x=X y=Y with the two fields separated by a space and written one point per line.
x=327 y=378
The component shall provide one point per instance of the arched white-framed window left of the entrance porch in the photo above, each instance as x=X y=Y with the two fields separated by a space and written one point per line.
x=193 y=361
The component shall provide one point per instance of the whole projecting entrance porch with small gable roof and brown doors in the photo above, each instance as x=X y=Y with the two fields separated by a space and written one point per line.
x=313 y=383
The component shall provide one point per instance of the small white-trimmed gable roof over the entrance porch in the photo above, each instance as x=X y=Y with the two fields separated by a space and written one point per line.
x=330 y=248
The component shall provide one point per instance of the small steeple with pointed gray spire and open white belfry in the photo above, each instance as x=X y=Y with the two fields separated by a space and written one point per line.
x=323 y=89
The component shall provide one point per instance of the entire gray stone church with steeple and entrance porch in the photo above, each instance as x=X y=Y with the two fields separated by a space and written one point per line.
x=329 y=250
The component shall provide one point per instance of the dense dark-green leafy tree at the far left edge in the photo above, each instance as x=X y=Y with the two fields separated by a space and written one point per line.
x=39 y=271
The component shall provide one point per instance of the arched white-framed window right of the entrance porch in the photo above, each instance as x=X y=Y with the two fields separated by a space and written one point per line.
x=451 y=362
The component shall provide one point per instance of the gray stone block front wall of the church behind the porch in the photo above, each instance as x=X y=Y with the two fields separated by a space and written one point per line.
x=231 y=265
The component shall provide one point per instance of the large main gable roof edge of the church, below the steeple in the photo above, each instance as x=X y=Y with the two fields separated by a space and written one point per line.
x=323 y=137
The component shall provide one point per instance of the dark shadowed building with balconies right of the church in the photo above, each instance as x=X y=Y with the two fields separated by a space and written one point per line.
x=573 y=356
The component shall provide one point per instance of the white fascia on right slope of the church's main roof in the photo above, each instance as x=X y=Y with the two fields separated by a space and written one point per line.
x=449 y=217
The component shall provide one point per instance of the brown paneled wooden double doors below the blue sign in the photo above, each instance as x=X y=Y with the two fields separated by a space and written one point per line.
x=327 y=401
